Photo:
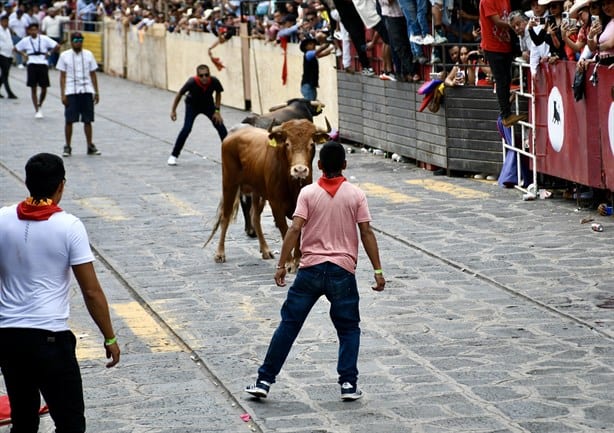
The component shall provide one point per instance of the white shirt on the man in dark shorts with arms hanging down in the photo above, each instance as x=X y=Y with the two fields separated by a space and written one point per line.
x=77 y=67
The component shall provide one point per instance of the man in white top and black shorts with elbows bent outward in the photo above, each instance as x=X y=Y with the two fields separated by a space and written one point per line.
x=35 y=49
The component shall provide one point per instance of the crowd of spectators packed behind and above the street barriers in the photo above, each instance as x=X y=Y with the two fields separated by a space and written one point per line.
x=397 y=36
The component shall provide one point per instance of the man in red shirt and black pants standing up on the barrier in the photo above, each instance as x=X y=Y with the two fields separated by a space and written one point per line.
x=497 y=46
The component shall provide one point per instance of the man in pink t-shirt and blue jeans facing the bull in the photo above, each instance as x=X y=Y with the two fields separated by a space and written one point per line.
x=330 y=214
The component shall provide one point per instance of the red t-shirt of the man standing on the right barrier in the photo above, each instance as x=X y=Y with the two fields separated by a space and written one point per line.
x=497 y=39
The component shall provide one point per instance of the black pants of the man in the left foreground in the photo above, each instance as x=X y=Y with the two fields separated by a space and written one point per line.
x=35 y=362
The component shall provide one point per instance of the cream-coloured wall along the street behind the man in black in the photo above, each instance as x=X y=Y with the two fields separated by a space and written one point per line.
x=165 y=60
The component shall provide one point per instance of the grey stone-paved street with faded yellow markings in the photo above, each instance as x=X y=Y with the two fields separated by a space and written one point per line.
x=490 y=322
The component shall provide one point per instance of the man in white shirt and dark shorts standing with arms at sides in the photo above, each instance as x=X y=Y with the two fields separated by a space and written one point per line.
x=78 y=90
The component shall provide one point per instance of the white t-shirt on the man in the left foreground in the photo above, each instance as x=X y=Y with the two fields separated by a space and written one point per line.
x=35 y=266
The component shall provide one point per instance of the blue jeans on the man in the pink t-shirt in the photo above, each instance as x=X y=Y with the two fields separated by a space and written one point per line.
x=339 y=287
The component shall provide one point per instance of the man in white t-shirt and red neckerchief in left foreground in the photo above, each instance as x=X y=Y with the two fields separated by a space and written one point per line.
x=39 y=246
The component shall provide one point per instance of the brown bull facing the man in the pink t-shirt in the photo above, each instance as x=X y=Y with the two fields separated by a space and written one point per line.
x=273 y=166
